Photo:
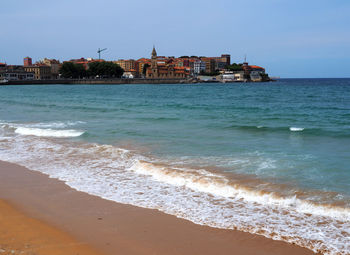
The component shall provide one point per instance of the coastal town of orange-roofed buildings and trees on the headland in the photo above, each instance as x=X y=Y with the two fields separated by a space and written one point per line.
x=182 y=69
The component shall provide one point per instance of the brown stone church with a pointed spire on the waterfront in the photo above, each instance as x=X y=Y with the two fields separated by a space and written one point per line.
x=165 y=68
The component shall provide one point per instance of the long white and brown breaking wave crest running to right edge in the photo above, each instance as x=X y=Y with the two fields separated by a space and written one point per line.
x=218 y=185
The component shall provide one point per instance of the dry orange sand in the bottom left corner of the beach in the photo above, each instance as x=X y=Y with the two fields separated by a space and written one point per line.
x=20 y=234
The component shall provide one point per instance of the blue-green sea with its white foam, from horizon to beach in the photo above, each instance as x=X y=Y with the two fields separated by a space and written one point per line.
x=271 y=159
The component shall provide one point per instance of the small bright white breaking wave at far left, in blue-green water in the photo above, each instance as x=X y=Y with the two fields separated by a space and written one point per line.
x=48 y=132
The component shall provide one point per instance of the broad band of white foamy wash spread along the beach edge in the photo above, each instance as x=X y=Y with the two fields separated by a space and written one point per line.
x=195 y=194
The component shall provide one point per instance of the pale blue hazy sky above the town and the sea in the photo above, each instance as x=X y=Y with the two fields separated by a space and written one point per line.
x=291 y=39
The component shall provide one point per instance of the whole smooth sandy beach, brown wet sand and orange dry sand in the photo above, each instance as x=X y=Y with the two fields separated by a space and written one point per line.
x=93 y=224
